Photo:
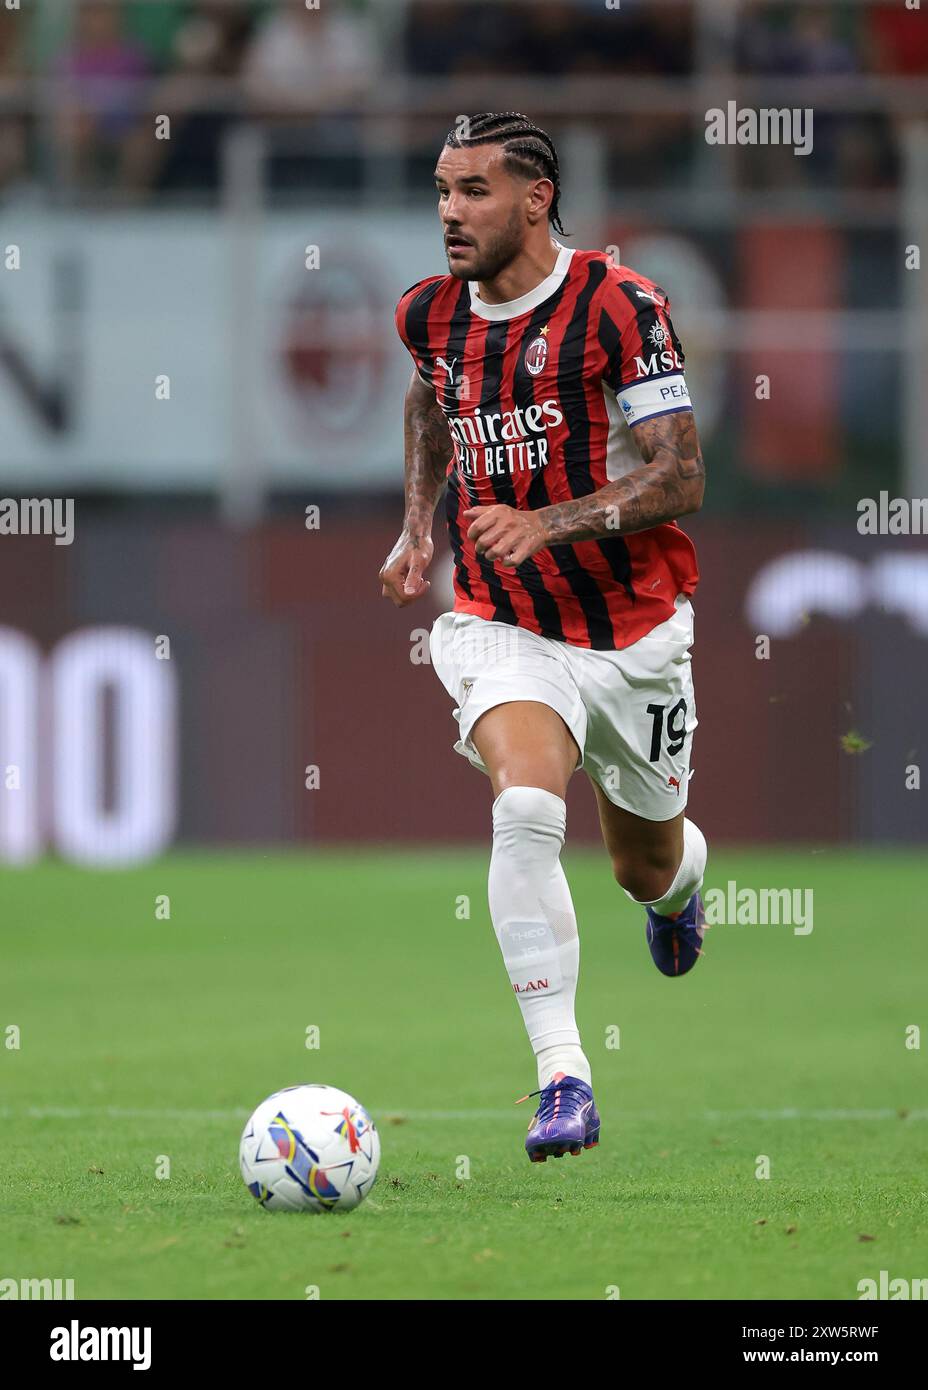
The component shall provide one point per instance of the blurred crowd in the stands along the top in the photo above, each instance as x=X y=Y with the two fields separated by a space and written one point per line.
x=108 y=66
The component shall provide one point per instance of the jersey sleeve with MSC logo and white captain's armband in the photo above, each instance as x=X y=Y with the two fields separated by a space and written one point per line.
x=644 y=355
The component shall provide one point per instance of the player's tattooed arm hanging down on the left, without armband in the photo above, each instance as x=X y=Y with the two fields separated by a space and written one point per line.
x=429 y=448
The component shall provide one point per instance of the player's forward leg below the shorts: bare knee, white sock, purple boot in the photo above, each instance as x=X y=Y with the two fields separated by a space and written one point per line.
x=530 y=755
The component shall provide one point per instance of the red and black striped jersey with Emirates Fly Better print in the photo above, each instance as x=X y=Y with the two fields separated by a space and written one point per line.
x=540 y=395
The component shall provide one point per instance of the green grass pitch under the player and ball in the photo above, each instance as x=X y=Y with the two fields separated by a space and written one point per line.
x=142 y=1039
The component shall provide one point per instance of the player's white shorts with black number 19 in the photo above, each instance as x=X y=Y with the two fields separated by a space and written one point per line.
x=633 y=714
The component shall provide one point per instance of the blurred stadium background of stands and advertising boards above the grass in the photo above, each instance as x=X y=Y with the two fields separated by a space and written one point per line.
x=255 y=258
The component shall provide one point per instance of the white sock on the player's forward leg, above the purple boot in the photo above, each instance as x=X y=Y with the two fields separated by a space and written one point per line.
x=536 y=925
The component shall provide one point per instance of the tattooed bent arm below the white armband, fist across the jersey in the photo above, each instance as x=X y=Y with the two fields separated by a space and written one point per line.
x=669 y=486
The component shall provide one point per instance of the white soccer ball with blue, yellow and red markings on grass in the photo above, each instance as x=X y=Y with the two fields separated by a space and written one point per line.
x=310 y=1149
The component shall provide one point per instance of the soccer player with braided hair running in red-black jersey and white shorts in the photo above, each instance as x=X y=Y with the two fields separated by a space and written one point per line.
x=537 y=368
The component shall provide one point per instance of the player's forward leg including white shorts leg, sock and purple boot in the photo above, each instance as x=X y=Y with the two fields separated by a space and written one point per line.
x=522 y=721
